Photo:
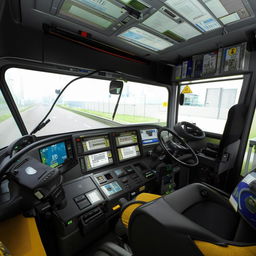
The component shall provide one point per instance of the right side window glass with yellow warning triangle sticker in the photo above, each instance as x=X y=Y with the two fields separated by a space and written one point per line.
x=207 y=103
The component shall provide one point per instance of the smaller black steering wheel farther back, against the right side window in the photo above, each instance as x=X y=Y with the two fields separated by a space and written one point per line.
x=189 y=131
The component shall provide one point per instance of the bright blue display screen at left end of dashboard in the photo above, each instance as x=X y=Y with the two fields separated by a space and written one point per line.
x=54 y=155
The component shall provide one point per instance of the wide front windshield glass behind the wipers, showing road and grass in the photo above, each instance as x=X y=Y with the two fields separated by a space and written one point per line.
x=86 y=103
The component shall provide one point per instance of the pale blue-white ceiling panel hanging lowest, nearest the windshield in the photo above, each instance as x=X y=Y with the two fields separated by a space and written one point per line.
x=145 y=39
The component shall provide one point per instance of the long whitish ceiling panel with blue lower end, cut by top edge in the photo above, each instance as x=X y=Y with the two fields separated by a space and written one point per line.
x=195 y=12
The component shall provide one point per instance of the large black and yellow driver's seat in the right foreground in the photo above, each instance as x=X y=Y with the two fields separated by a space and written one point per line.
x=193 y=221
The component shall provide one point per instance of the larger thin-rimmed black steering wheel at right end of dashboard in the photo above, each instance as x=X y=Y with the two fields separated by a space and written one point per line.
x=175 y=147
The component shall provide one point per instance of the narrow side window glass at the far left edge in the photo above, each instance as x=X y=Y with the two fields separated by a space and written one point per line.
x=8 y=128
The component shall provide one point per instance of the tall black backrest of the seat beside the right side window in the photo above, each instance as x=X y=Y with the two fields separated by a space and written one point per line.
x=234 y=126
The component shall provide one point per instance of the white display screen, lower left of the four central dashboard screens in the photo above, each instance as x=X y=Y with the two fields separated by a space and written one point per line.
x=98 y=160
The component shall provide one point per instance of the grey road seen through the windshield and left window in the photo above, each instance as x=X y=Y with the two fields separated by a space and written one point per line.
x=61 y=121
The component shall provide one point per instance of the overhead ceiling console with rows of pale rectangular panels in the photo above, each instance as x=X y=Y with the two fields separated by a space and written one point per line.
x=151 y=26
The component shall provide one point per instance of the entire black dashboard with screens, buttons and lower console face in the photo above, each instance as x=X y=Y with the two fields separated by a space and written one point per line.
x=97 y=168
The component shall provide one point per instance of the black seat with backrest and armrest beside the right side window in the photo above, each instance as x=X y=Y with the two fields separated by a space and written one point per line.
x=222 y=157
